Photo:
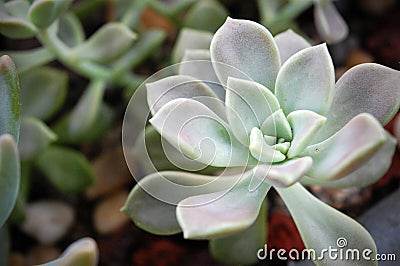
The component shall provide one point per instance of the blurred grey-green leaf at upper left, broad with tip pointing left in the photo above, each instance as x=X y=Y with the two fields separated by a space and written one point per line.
x=106 y=44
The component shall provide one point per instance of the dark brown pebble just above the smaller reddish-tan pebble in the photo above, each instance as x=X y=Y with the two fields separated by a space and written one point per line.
x=111 y=173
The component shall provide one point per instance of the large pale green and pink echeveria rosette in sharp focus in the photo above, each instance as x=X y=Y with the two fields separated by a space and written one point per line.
x=286 y=123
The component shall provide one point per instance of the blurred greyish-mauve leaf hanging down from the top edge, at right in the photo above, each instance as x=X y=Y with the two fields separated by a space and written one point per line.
x=329 y=23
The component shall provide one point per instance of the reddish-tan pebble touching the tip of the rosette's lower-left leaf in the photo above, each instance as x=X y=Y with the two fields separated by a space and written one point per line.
x=107 y=215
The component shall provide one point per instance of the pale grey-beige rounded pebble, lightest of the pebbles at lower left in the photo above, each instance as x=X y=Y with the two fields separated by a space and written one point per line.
x=48 y=221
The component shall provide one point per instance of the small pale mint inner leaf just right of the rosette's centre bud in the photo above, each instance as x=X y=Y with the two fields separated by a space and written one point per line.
x=304 y=125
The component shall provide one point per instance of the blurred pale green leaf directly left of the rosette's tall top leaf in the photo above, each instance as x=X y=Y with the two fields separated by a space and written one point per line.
x=189 y=39
